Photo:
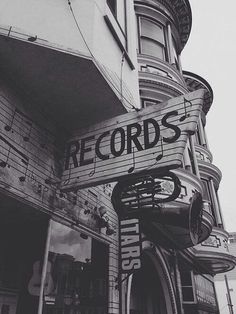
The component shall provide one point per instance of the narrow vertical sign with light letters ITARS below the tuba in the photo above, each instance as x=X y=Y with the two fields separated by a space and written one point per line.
x=130 y=245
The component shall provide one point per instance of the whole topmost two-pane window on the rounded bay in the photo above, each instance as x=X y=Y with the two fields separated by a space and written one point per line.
x=152 y=40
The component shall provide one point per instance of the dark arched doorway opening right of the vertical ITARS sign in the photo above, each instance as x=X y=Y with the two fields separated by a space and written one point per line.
x=147 y=295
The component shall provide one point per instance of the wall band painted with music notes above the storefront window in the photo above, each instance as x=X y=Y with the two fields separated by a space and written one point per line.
x=30 y=163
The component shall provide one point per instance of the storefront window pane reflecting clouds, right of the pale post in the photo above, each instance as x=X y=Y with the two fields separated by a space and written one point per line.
x=76 y=280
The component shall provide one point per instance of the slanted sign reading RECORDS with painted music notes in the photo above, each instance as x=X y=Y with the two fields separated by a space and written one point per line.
x=153 y=137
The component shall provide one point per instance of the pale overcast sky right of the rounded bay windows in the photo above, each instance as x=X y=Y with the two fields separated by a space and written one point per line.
x=211 y=53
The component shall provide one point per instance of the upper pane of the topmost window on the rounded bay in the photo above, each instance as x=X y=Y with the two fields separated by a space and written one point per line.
x=152 y=30
